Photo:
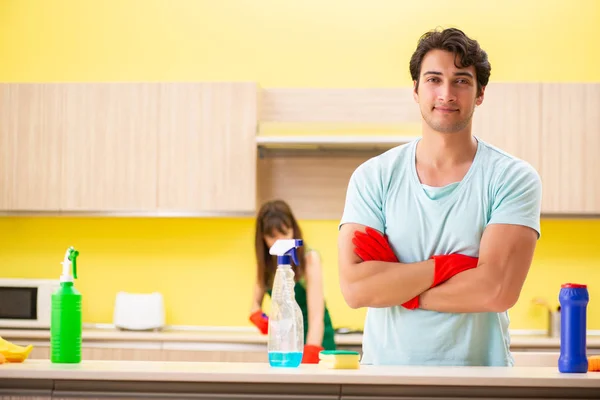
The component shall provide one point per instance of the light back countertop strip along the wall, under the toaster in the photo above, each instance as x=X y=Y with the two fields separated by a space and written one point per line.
x=244 y=337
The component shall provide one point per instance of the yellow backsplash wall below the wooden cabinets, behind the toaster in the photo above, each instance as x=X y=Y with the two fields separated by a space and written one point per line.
x=205 y=267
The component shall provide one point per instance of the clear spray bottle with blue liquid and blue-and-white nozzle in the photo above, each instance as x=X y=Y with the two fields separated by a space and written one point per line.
x=286 y=325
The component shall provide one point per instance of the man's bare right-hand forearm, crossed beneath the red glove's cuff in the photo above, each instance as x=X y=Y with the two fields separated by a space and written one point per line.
x=470 y=291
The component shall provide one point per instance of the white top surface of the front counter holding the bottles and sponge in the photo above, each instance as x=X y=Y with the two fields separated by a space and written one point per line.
x=313 y=374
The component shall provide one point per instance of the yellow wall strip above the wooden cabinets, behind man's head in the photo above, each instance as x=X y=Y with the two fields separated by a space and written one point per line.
x=287 y=43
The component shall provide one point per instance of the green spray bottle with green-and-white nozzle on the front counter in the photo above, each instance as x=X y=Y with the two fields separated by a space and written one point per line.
x=65 y=325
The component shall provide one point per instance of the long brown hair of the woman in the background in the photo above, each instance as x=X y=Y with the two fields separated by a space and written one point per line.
x=275 y=216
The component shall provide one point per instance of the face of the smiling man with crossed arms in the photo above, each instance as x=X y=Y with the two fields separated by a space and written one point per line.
x=447 y=95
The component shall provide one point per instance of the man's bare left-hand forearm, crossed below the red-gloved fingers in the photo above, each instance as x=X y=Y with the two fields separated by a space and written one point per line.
x=383 y=284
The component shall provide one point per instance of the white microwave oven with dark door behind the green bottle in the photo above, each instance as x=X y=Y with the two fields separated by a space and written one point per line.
x=26 y=303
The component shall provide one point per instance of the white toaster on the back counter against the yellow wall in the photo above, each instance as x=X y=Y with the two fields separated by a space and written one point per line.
x=139 y=311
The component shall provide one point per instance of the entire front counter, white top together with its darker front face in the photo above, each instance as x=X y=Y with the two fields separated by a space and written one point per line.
x=259 y=380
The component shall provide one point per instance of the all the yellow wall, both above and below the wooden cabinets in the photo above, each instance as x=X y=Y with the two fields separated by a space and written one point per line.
x=276 y=43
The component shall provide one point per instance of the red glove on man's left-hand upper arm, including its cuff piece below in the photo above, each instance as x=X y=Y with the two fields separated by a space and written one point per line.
x=372 y=246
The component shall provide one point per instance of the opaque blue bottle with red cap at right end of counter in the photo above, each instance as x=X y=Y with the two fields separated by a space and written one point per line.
x=573 y=300
